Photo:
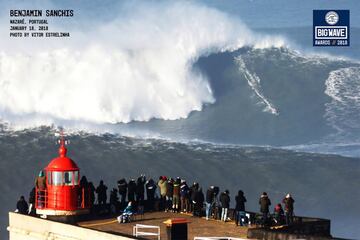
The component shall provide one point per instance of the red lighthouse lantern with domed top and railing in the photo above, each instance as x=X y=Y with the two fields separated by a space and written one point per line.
x=62 y=195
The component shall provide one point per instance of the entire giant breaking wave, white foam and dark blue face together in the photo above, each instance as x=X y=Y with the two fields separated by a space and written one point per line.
x=217 y=80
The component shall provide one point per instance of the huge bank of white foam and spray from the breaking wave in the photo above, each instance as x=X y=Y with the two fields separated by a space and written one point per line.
x=136 y=67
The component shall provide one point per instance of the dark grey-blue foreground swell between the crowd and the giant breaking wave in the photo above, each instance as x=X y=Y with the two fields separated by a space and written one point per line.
x=323 y=185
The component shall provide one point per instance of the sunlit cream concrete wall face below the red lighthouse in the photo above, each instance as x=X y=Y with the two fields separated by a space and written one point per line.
x=24 y=227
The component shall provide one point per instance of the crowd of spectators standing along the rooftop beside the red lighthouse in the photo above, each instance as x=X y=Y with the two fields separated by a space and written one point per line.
x=169 y=195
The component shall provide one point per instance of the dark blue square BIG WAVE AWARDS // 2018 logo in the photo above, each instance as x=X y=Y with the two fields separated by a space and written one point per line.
x=331 y=28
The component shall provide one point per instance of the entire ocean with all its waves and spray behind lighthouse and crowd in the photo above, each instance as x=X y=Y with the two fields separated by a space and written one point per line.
x=234 y=89
